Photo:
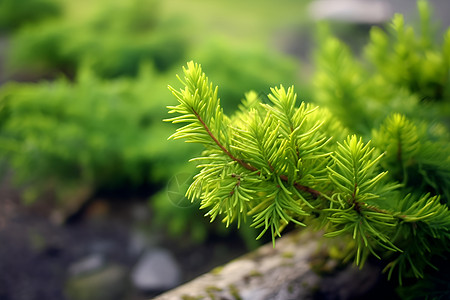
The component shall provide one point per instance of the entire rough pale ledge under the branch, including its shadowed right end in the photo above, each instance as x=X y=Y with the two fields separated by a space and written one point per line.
x=283 y=272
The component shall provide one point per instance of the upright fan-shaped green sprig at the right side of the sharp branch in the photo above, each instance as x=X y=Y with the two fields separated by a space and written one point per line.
x=358 y=185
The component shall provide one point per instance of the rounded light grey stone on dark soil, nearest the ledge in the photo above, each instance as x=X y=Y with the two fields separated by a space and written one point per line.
x=157 y=270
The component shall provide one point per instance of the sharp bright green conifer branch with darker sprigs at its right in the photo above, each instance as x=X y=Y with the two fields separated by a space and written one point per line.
x=287 y=162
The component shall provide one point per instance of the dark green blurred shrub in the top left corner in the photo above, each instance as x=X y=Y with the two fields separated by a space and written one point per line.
x=15 y=14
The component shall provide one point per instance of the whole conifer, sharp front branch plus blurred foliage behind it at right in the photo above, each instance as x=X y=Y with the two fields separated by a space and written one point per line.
x=288 y=162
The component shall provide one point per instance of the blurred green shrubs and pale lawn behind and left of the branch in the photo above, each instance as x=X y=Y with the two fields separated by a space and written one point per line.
x=85 y=86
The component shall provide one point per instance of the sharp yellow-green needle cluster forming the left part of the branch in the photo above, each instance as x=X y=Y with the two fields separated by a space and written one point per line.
x=227 y=182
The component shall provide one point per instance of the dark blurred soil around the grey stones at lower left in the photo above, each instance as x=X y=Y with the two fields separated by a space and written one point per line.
x=36 y=252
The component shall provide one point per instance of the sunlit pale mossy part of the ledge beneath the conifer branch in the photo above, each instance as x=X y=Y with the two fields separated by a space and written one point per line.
x=268 y=273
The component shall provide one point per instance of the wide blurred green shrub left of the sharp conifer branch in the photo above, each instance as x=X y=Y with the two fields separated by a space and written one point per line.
x=93 y=132
